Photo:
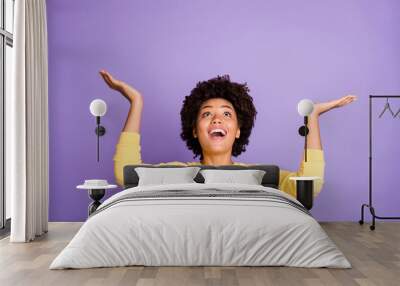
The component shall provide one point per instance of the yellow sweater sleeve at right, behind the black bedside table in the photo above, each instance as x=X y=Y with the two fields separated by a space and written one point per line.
x=315 y=166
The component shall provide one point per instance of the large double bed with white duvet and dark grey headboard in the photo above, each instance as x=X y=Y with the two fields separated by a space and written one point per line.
x=201 y=224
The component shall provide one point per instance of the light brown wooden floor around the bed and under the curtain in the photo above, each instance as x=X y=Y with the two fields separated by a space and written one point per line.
x=375 y=257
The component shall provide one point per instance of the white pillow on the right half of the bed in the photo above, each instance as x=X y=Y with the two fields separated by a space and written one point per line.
x=249 y=177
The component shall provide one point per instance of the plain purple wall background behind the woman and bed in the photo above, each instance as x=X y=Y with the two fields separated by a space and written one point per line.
x=284 y=50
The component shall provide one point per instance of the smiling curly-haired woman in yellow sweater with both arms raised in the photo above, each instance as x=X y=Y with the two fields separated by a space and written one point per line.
x=217 y=118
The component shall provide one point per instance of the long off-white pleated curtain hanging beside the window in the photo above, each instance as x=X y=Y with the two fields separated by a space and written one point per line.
x=27 y=124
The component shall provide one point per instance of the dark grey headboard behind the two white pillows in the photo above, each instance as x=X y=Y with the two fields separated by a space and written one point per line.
x=270 y=179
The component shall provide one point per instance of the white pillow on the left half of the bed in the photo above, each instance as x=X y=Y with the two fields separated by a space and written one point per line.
x=162 y=176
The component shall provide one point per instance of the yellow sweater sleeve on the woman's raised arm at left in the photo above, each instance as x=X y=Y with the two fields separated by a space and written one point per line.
x=127 y=152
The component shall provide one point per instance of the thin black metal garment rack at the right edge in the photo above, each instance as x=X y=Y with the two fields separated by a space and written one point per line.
x=369 y=205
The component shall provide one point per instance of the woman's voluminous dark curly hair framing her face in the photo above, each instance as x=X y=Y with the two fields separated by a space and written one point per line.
x=218 y=87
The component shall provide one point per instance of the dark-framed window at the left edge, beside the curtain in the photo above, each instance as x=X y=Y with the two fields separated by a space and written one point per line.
x=6 y=69
